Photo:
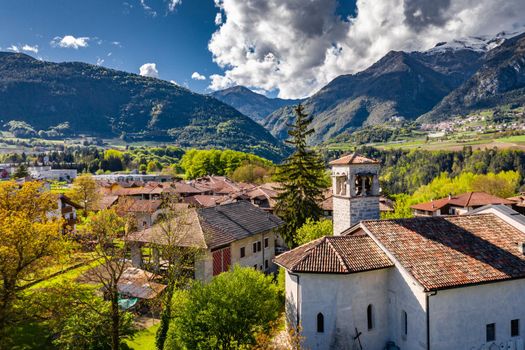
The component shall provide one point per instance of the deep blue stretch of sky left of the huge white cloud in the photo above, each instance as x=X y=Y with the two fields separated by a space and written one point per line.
x=176 y=41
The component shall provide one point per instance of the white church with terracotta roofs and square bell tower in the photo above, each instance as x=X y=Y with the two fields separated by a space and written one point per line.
x=449 y=282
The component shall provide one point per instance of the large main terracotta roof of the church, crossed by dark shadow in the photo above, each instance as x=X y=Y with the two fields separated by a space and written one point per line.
x=451 y=251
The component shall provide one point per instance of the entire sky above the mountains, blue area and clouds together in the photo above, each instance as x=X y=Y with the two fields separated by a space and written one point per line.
x=285 y=48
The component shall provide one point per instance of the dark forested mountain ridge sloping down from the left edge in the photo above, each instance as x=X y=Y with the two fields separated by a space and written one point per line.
x=38 y=97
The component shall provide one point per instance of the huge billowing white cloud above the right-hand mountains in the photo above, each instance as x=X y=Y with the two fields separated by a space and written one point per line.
x=298 y=46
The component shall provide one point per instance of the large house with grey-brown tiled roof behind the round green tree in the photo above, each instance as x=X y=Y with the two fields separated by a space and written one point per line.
x=236 y=233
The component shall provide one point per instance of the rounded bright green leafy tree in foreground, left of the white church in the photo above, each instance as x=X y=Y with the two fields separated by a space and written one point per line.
x=225 y=314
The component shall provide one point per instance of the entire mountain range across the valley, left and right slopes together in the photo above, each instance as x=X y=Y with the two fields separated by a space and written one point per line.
x=72 y=98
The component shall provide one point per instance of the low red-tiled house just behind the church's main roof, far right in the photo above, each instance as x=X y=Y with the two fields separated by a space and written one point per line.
x=457 y=205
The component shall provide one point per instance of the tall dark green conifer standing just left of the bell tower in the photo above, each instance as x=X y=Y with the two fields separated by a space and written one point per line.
x=302 y=181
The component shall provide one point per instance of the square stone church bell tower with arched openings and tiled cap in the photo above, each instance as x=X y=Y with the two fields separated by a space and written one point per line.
x=355 y=189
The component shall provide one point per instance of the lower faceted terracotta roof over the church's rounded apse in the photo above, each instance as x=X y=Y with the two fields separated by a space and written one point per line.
x=335 y=254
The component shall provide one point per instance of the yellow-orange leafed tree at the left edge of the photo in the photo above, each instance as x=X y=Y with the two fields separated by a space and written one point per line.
x=30 y=236
